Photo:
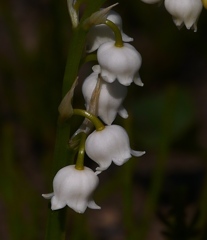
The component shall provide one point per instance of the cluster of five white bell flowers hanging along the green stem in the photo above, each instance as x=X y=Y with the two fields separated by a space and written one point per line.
x=118 y=66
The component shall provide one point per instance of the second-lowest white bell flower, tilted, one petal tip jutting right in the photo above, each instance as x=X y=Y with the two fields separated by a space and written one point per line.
x=110 y=144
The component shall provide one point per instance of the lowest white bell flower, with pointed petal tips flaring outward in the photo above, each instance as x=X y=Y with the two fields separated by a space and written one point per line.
x=74 y=188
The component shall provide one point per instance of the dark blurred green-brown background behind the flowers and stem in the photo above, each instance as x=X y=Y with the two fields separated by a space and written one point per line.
x=159 y=196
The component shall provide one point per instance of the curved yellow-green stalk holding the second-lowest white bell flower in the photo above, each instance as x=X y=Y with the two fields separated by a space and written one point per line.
x=96 y=122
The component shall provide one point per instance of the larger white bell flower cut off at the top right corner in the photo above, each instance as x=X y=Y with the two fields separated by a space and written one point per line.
x=184 y=11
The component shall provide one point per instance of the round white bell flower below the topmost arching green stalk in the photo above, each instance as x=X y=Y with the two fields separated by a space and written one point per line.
x=121 y=63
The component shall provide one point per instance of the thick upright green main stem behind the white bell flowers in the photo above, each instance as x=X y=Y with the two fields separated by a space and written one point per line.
x=57 y=219
